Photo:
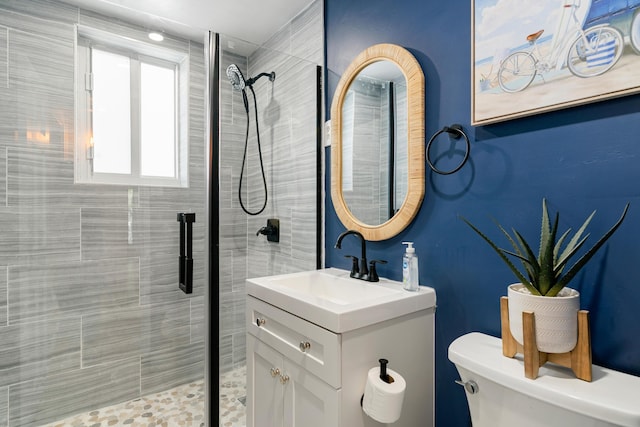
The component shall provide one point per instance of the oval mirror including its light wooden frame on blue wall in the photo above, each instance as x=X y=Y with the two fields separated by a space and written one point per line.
x=377 y=147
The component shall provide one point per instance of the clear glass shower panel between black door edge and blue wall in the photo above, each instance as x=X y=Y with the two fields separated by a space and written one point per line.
x=288 y=114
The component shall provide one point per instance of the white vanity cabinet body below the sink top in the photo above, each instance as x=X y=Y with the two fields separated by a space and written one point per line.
x=302 y=374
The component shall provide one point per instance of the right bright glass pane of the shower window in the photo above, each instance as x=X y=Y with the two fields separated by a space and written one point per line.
x=157 y=121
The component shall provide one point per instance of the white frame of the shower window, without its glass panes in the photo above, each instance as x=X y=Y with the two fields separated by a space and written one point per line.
x=138 y=52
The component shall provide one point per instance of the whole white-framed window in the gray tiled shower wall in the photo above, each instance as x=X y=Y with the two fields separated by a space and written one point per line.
x=128 y=108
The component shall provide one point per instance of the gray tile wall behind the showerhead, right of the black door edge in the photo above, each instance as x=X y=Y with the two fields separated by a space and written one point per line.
x=287 y=119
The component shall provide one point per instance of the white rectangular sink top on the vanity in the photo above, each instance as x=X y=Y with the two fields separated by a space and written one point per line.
x=333 y=300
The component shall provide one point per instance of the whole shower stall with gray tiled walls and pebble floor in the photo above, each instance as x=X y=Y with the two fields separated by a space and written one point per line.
x=91 y=311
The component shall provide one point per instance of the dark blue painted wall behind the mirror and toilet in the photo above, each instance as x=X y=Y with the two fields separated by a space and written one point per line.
x=580 y=159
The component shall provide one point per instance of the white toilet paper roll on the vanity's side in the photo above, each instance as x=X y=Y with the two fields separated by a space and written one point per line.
x=383 y=401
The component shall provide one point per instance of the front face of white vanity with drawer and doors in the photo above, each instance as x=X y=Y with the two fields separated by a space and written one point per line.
x=282 y=350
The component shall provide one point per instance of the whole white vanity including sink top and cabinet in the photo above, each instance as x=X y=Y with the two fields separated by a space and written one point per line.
x=312 y=338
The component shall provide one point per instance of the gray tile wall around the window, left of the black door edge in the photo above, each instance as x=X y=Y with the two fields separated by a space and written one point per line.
x=88 y=318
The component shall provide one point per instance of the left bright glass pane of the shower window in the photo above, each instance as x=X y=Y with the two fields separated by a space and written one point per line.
x=111 y=118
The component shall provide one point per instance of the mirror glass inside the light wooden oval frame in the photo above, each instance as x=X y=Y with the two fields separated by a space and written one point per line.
x=375 y=143
